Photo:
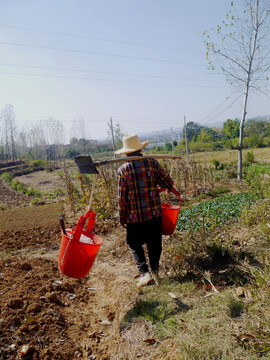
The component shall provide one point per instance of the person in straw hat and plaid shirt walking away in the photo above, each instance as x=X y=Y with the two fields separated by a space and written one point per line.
x=140 y=206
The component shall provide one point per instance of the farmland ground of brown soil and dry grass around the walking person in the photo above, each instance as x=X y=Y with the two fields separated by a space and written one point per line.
x=213 y=302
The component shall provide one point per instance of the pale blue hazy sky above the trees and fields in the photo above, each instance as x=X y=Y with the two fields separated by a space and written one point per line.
x=140 y=62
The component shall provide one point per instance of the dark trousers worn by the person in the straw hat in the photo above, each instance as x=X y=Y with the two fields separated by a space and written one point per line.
x=149 y=233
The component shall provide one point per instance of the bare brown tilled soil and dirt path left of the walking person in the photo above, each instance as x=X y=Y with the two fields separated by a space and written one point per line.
x=47 y=315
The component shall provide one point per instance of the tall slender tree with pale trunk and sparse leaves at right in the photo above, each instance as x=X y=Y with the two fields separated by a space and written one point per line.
x=242 y=53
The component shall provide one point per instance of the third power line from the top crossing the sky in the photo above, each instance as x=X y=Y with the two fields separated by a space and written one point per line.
x=106 y=72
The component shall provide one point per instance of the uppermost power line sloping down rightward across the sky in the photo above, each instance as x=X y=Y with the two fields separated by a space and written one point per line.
x=101 y=39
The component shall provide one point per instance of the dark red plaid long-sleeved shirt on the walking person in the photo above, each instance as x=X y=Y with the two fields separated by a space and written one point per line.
x=138 y=196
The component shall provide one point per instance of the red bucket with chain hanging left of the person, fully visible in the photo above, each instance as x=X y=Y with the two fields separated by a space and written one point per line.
x=79 y=248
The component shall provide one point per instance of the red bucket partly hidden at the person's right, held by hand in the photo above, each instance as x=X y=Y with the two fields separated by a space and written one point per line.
x=170 y=216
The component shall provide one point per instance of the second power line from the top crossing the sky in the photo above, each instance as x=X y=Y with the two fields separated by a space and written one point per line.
x=99 y=53
